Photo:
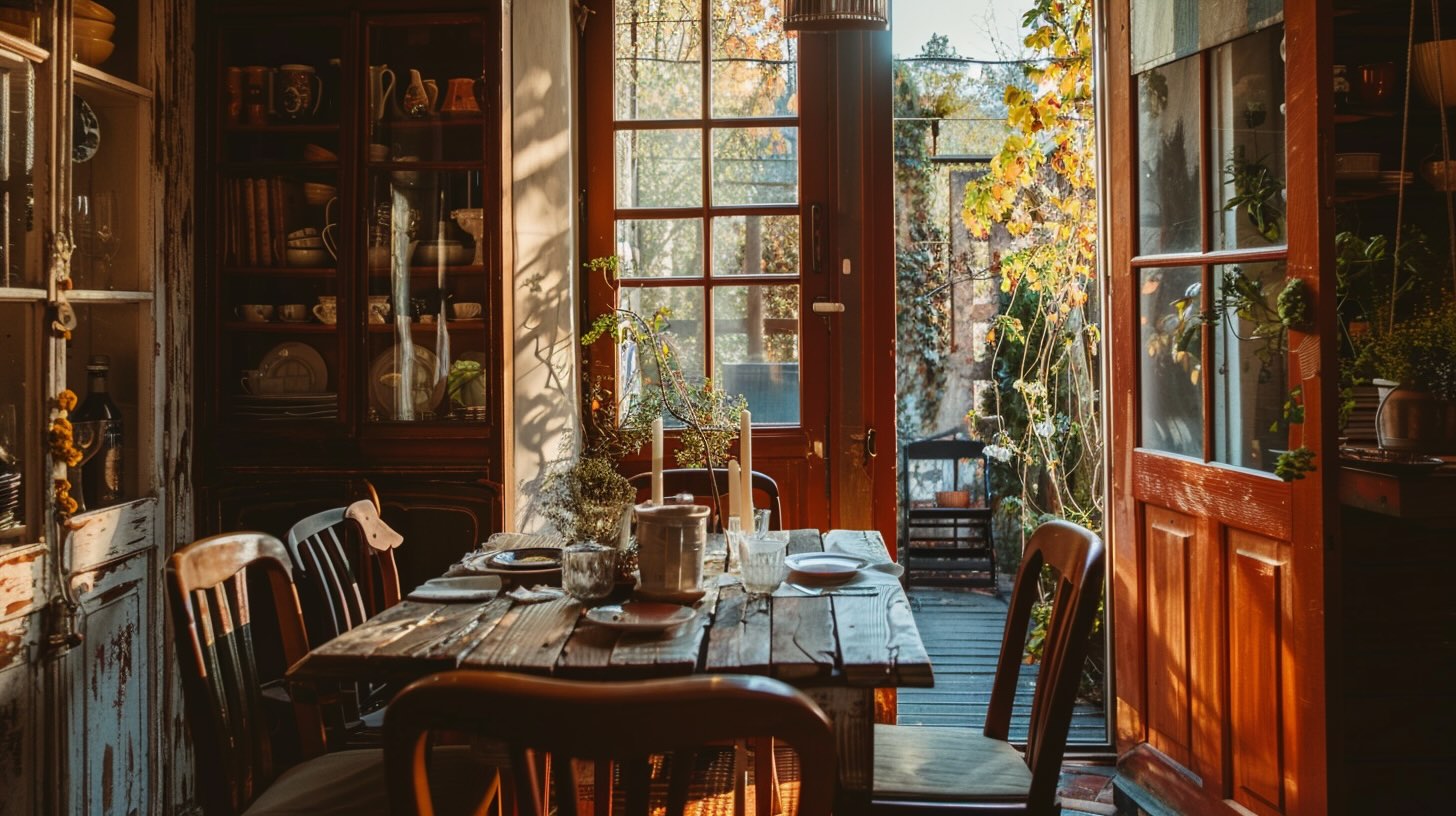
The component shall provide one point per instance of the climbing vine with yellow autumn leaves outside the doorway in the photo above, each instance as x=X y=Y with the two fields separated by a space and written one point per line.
x=1043 y=415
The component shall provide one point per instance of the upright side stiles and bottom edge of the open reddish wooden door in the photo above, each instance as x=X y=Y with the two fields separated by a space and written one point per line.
x=1311 y=501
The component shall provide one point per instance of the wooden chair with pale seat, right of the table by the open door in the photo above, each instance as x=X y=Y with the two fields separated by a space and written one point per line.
x=924 y=770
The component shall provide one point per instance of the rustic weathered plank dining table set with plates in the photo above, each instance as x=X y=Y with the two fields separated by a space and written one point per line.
x=836 y=648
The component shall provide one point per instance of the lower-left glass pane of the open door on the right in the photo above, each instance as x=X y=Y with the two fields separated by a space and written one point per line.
x=1171 y=337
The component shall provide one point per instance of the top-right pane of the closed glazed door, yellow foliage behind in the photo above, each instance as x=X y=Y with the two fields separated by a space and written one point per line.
x=753 y=62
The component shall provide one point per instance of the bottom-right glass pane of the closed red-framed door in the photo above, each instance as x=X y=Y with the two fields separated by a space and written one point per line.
x=756 y=349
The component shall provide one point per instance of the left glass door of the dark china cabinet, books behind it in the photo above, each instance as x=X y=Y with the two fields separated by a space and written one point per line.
x=280 y=237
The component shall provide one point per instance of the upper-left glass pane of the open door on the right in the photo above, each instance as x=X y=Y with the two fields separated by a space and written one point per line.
x=1168 y=180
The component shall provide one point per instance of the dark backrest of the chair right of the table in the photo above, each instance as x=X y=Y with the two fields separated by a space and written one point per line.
x=1077 y=557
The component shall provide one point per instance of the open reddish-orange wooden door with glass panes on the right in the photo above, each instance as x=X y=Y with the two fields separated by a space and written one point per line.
x=1218 y=576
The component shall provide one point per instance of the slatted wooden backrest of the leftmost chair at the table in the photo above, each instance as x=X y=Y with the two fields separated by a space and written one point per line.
x=207 y=588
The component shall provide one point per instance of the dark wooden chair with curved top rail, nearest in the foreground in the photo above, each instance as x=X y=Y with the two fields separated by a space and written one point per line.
x=625 y=722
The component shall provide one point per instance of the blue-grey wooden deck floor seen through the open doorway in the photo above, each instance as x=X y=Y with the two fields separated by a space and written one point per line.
x=963 y=632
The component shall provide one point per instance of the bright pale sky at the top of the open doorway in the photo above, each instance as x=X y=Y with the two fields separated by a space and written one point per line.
x=986 y=30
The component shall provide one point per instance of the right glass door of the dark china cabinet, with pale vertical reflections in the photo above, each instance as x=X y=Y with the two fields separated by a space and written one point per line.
x=427 y=301
